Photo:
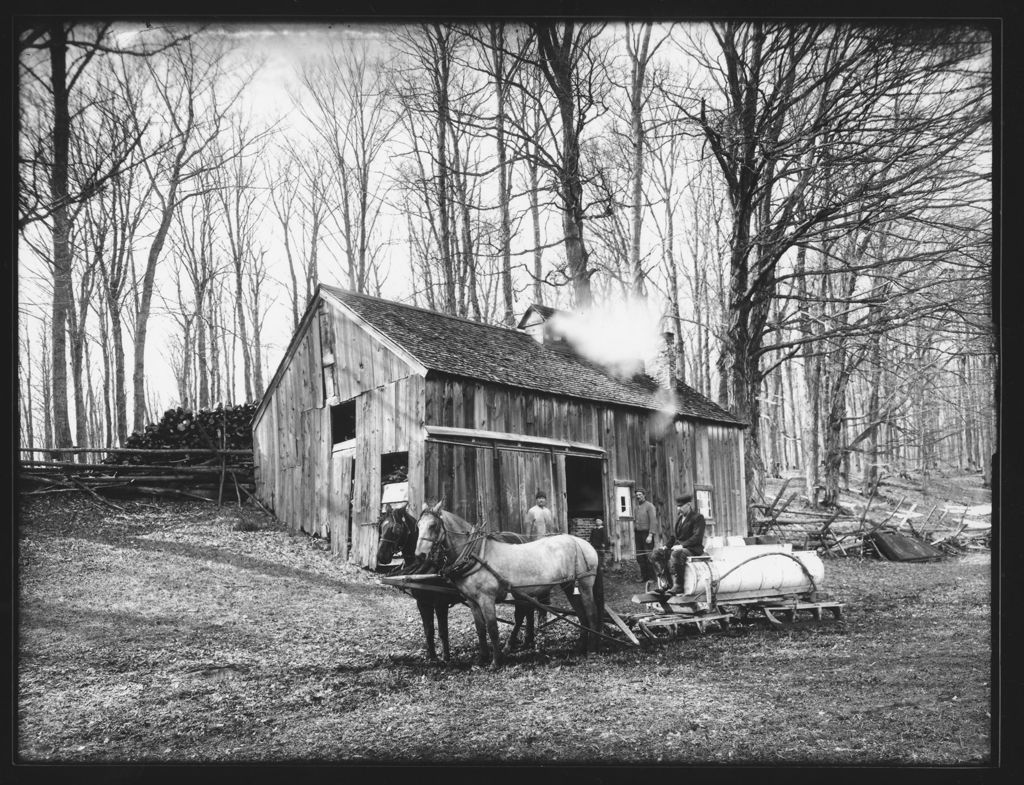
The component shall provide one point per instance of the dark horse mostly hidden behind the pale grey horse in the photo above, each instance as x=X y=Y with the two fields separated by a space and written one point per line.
x=398 y=535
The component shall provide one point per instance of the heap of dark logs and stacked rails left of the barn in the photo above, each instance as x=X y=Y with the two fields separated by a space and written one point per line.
x=195 y=455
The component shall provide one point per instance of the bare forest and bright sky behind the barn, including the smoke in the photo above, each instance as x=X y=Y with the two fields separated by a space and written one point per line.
x=797 y=219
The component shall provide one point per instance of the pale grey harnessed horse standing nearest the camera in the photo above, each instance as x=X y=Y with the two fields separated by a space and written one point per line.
x=484 y=570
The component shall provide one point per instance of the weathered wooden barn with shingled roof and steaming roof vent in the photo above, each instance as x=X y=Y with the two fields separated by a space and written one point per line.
x=378 y=401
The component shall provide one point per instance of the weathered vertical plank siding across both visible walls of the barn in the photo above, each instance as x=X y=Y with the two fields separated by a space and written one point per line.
x=315 y=490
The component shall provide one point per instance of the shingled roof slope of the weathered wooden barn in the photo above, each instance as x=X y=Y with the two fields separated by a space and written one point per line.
x=491 y=354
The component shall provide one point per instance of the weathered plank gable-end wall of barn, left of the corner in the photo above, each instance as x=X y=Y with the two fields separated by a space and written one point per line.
x=311 y=488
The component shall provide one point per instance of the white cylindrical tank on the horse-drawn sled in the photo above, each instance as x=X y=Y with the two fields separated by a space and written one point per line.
x=747 y=573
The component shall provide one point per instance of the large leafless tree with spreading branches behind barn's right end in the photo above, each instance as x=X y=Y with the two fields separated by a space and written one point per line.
x=791 y=106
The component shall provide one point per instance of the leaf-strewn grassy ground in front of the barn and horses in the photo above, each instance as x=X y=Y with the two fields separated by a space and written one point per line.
x=162 y=635
